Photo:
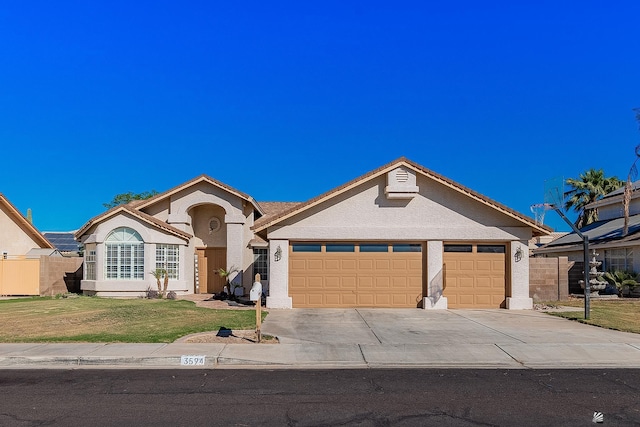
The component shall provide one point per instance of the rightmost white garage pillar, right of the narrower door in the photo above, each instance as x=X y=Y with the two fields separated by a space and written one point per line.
x=519 y=260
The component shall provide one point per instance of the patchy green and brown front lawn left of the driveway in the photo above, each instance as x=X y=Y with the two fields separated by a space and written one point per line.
x=91 y=319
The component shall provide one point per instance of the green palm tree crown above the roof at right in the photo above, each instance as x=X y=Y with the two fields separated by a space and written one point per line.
x=591 y=186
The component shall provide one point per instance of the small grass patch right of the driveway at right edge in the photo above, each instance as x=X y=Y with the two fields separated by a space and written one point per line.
x=621 y=315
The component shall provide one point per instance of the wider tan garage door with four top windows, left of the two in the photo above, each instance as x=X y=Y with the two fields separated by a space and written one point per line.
x=355 y=275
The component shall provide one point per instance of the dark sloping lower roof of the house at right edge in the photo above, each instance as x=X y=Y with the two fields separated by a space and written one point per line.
x=599 y=233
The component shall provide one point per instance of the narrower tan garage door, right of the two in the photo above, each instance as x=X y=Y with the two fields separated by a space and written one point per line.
x=474 y=275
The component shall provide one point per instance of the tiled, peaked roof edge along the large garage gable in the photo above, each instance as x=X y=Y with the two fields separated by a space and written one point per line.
x=268 y=221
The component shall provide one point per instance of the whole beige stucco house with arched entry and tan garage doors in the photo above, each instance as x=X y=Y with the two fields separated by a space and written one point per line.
x=399 y=236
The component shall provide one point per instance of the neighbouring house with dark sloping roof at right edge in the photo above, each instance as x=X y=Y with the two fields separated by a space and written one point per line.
x=616 y=250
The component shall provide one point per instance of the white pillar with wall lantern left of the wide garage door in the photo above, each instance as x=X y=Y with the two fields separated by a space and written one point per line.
x=279 y=275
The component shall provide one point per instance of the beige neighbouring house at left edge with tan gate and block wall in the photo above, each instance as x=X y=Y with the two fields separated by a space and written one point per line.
x=29 y=263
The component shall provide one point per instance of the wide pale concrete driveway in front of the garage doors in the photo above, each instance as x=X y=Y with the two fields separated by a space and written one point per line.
x=412 y=326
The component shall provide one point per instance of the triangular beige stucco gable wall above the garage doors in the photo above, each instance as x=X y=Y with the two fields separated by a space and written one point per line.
x=437 y=213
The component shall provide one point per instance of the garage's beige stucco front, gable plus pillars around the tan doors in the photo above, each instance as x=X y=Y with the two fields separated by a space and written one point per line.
x=436 y=215
